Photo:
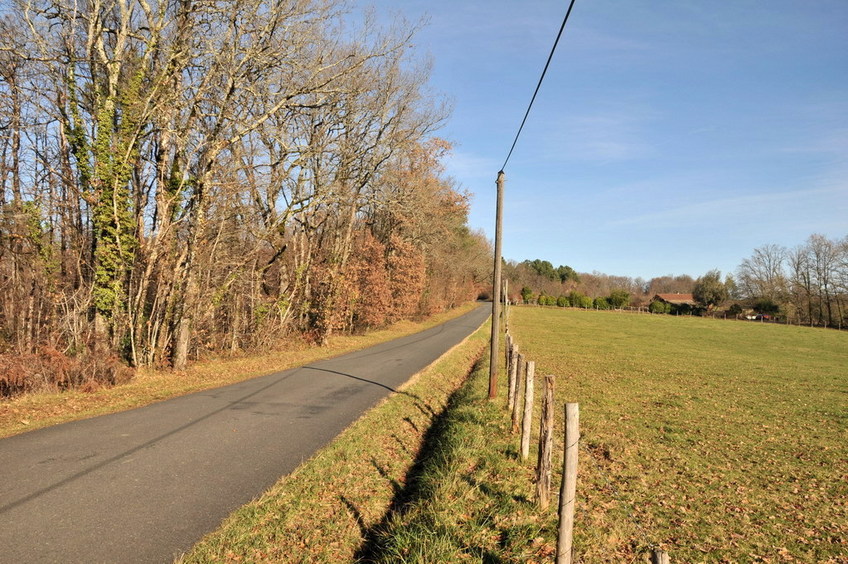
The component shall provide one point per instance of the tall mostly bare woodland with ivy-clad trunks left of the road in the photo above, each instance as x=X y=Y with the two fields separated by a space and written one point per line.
x=185 y=176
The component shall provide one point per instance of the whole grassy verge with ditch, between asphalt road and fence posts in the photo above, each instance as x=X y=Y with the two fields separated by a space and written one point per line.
x=431 y=475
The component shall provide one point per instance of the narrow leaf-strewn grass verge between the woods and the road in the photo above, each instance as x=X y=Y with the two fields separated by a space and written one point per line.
x=33 y=411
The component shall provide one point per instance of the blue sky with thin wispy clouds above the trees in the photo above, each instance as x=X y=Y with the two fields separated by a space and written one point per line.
x=669 y=136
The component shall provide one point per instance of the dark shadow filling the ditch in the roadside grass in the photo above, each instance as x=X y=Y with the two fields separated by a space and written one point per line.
x=437 y=454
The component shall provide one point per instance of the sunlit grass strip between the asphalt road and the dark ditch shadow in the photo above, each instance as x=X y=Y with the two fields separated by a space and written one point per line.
x=332 y=508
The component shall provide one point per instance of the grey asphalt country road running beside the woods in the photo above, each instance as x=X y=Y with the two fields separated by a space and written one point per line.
x=144 y=485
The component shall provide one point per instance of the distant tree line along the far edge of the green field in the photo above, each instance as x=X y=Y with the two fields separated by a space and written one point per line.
x=807 y=284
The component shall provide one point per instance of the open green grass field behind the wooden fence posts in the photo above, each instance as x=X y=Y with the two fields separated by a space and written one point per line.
x=718 y=441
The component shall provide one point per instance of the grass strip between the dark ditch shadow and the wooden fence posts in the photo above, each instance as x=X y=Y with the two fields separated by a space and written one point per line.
x=470 y=496
